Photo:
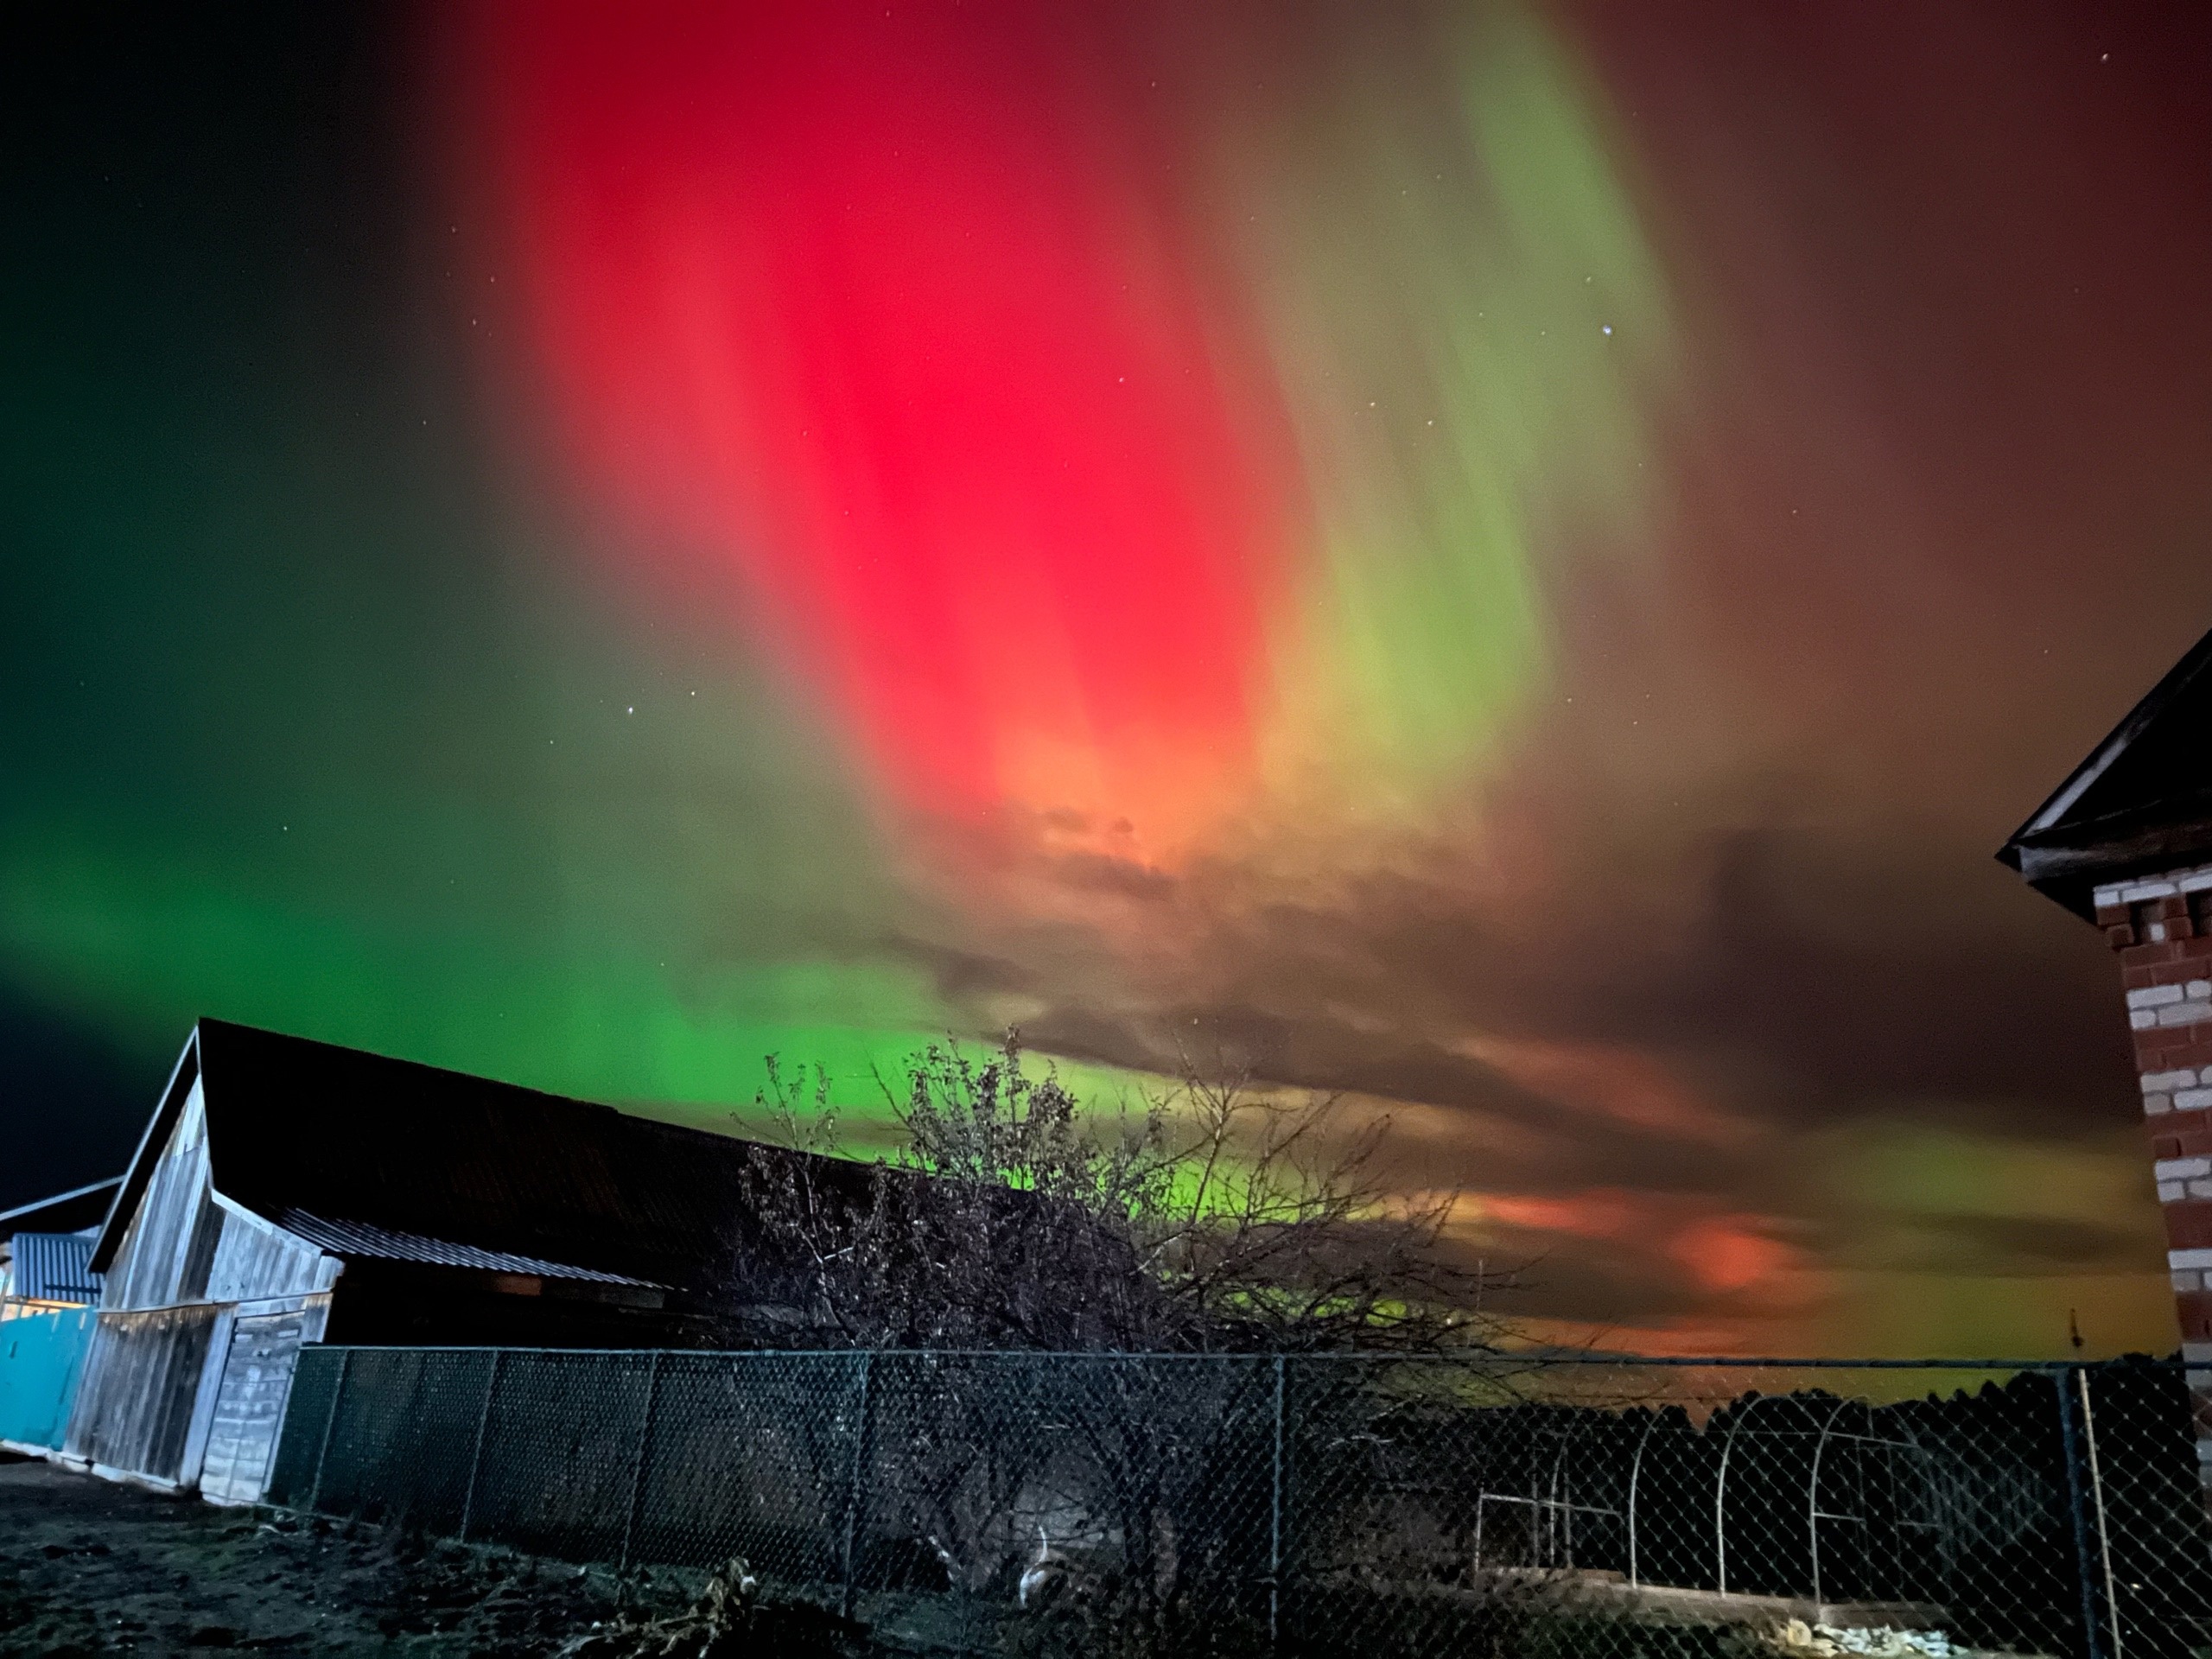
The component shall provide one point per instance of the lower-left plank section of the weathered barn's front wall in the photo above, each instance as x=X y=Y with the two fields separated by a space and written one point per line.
x=140 y=1390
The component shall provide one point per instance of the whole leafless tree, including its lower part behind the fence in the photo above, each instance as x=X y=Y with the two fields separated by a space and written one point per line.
x=1209 y=1222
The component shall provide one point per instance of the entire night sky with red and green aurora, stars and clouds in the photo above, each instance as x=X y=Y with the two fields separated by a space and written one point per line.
x=1507 y=561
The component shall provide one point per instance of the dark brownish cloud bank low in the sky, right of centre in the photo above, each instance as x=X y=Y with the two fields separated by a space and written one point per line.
x=1629 y=1061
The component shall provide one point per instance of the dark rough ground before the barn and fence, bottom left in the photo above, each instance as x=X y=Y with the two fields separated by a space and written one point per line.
x=90 y=1567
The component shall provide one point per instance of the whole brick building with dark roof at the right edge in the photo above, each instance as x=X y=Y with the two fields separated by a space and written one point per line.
x=2127 y=844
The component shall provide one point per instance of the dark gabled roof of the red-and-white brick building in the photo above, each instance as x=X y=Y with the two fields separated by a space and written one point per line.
x=2140 y=802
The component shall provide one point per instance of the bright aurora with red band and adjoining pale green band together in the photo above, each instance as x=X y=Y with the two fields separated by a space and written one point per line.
x=941 y=342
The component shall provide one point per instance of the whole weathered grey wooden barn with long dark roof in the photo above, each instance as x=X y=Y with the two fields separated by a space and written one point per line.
x=291 y=1191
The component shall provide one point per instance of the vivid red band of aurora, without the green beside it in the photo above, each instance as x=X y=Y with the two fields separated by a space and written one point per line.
x=890 y=320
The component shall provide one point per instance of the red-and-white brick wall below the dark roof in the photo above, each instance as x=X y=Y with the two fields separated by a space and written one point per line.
x=2162 y=930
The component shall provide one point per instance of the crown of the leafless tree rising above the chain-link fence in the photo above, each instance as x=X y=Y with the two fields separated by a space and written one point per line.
x=1213 y=1220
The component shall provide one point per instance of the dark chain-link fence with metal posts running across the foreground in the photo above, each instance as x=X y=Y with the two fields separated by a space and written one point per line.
x=1096 y=1503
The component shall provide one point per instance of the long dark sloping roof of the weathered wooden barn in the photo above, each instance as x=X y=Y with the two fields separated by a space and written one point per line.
x=384 y=1158
